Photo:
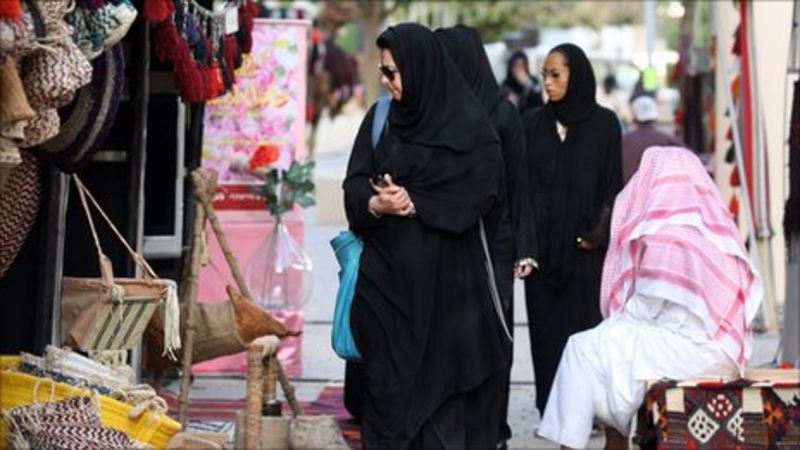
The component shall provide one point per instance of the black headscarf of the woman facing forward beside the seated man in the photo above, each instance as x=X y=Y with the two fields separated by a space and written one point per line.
x=580 y=100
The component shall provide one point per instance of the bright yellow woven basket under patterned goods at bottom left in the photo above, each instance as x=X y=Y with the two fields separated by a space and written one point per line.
x=18 y=389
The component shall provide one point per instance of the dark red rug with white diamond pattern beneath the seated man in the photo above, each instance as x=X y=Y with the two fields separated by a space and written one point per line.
x=712 y=415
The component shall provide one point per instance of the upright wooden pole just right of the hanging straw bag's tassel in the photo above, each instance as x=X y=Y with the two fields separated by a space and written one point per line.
x=189 y=298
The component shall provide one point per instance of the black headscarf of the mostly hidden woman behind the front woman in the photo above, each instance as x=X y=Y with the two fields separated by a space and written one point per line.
x=466 y=49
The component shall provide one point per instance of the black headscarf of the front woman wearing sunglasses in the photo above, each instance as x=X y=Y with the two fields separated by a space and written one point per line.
x=437 y=108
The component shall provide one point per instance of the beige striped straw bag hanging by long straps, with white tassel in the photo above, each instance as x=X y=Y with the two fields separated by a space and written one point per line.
x=110 y=313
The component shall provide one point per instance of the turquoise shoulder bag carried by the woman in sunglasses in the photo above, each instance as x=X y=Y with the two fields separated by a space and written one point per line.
x=348 y=248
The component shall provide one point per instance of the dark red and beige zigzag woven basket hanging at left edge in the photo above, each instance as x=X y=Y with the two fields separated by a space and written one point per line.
x=19 y=204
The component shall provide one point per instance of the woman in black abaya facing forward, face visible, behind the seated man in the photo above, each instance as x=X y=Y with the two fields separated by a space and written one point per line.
x=575 y=172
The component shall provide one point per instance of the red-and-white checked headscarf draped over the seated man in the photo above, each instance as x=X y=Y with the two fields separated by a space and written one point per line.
x=673 y=238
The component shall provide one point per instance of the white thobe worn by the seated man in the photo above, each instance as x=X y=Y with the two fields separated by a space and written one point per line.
x=603 y=371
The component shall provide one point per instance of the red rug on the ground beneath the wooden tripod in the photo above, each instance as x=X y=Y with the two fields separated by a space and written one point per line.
x=210 y=414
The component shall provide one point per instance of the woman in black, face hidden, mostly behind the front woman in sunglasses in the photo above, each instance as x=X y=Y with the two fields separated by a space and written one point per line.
x=510 y=224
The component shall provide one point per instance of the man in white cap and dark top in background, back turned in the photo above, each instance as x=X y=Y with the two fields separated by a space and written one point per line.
x=645 y=135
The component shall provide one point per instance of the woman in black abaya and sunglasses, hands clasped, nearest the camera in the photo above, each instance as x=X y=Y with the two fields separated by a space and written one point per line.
x=422 y=315
